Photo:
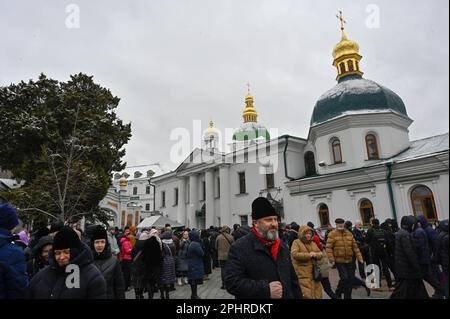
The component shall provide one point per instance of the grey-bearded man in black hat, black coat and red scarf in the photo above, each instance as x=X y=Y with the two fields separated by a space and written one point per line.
x=259 y=265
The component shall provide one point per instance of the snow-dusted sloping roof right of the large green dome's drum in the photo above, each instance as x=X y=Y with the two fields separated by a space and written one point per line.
x=424 y=147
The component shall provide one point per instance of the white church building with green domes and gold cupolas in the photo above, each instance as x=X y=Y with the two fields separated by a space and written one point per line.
x=357 y=163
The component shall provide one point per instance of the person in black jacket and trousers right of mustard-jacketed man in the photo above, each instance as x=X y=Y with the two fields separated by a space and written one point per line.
x=377 y=239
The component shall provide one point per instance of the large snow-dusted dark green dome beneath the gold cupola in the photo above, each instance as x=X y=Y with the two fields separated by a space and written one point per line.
x=353 y=94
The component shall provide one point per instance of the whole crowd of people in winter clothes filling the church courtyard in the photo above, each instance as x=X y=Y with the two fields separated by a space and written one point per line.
x=266 y=260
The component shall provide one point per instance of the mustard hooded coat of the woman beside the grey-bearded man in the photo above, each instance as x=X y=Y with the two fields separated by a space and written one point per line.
x=303 y=264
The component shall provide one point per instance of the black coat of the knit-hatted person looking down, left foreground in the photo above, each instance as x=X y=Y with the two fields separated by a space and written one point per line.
x=50 y=283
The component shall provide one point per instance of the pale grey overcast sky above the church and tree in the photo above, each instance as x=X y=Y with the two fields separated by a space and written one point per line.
x=175 y=61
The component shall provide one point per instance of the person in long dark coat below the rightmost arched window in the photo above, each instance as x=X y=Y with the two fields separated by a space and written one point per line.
x=409 y=275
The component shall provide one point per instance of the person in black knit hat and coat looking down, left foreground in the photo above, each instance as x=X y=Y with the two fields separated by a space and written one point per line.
x=69 y=258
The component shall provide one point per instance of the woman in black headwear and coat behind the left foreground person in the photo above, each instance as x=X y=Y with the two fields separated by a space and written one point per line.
x=108 y=264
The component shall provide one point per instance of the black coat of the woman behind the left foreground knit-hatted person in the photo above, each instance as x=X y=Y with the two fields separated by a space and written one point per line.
x=111 y=270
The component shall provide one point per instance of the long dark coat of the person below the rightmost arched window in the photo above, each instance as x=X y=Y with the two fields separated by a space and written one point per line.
x=406 y=258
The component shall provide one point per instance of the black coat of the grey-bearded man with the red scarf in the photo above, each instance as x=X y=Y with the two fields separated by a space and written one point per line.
x=250 y=268
